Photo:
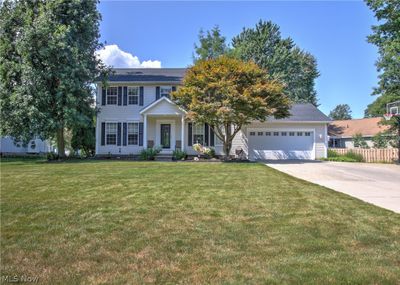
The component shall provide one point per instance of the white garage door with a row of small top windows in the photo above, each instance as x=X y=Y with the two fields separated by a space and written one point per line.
x=280 y=144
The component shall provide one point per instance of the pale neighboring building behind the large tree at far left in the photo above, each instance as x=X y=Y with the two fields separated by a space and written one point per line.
x=34 y=146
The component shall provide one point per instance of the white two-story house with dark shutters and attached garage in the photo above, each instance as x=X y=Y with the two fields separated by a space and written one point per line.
x=135 y=112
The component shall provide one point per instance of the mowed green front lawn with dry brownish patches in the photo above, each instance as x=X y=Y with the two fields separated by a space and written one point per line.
x=191 y=223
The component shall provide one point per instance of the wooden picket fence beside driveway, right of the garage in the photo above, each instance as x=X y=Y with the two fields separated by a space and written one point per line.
x=372 y=154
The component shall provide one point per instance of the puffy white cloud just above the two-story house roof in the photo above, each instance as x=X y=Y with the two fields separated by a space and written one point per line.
x=114 y=56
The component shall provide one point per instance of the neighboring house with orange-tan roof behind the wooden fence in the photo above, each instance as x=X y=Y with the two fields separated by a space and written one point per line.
x=341 y=132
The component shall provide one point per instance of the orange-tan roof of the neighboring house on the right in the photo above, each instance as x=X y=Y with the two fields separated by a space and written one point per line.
x=347 y=128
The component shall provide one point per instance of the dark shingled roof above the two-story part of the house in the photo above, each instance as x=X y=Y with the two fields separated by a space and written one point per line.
x=167 y=75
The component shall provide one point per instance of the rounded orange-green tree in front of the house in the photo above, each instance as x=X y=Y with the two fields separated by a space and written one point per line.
x=227 y=94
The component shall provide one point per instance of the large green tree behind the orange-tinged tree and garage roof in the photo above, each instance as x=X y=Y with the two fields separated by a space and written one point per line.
x=283 y=60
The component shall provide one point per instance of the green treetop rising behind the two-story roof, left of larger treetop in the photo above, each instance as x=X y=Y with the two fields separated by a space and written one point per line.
x=211 y=45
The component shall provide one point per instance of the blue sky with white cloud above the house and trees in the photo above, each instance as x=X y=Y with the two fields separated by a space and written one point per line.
x=163 y=33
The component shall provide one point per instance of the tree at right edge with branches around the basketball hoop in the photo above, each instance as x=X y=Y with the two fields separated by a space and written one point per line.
x=386 y=36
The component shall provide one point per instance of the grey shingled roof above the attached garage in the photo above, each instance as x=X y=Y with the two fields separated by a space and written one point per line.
x=303 y=113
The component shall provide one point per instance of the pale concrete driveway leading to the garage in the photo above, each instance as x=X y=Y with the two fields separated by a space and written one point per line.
x=378 y=184
